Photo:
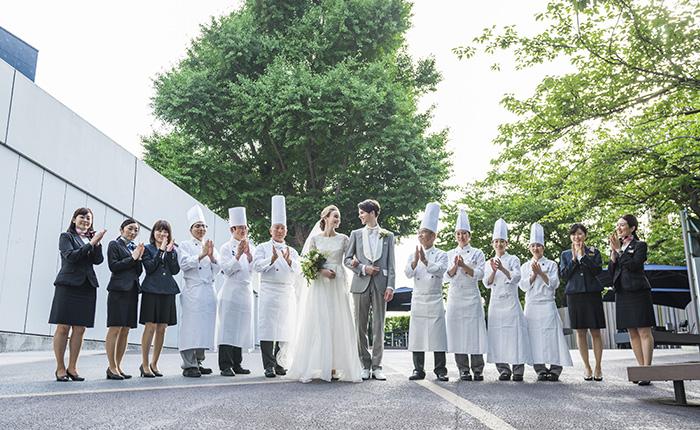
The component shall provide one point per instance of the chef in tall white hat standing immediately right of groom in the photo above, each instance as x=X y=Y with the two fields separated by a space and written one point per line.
x=427 y=325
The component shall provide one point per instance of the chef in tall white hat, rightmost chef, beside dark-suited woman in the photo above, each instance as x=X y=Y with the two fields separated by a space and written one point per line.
x=540 y=279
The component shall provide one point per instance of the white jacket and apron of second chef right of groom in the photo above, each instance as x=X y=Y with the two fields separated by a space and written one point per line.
x=464 y=318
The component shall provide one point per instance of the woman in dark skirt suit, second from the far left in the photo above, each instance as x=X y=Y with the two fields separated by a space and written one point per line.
x=124 y=259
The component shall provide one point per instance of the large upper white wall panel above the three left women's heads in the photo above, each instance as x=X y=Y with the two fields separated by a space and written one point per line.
x=47 y=132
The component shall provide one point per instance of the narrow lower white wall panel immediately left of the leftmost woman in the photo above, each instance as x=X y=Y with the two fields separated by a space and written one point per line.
x=44 y=267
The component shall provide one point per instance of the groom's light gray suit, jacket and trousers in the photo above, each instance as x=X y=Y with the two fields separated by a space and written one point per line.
x=368 y=292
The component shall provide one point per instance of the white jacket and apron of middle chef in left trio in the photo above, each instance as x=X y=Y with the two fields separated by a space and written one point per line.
x=235 y=318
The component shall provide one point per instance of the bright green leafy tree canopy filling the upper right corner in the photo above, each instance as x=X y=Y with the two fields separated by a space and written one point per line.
x=618 y=134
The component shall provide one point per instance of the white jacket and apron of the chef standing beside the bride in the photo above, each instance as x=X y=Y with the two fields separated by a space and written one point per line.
x=277 y=298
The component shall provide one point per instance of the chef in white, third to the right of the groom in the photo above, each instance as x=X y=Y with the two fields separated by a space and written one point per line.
x=508 y=340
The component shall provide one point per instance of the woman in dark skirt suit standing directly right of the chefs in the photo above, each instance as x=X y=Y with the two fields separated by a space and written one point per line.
x=578 y=267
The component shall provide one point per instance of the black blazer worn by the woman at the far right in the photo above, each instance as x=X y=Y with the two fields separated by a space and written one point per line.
x=628 y=271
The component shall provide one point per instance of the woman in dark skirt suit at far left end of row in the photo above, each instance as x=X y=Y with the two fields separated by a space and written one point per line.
x=73 y=307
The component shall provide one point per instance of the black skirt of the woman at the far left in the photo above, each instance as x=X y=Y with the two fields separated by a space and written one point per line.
x=74 y=305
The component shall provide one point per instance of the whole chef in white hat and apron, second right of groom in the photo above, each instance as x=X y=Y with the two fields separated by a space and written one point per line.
x=466 y=324
